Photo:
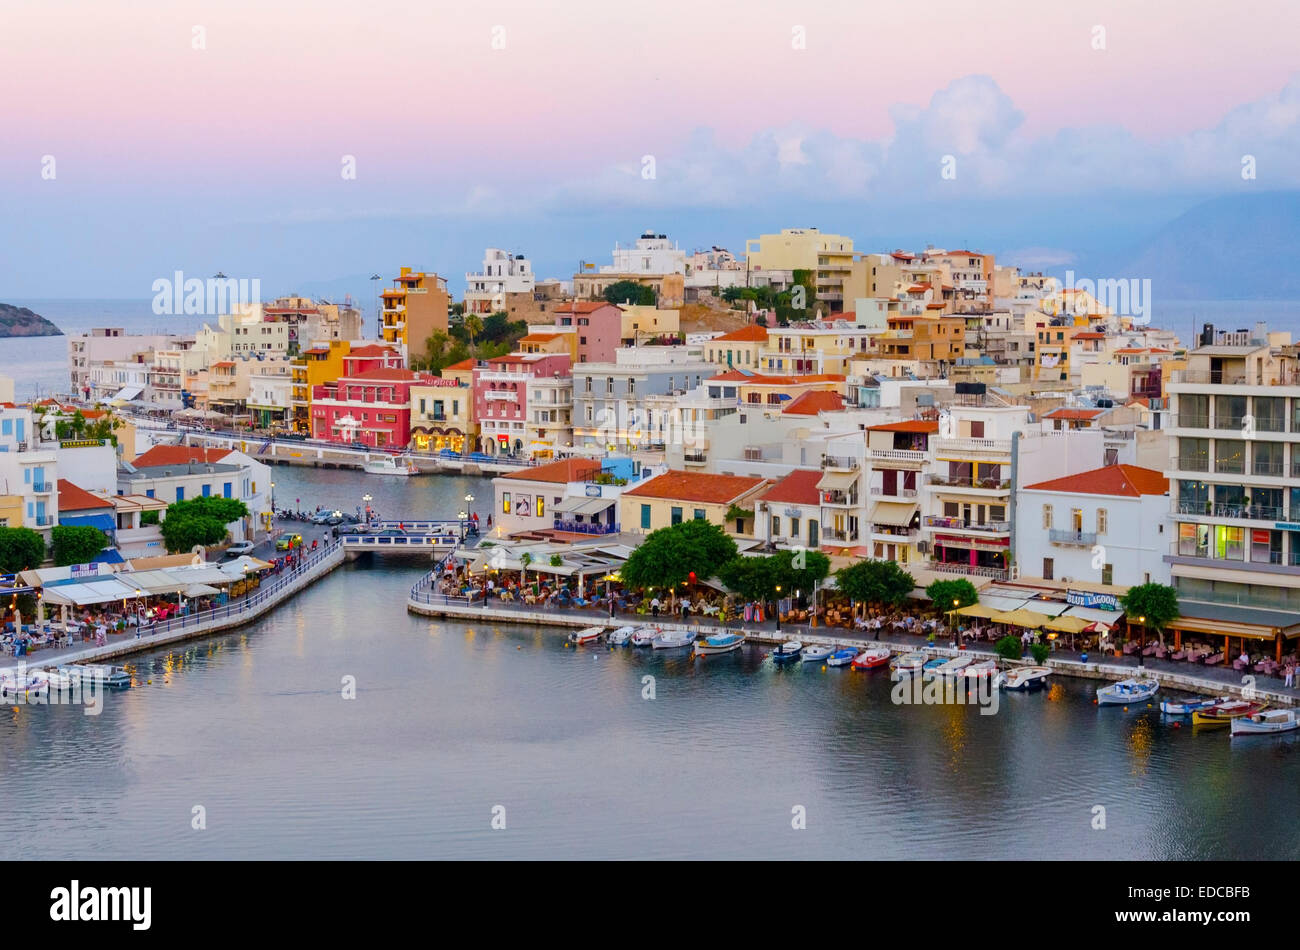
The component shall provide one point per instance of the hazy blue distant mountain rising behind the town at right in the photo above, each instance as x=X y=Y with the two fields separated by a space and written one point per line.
x=1230 y=249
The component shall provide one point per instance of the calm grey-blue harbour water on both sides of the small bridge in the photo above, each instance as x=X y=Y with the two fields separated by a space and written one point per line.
x=457 y=725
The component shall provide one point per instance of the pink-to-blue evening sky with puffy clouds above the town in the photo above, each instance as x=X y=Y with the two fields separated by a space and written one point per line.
x=306 y=142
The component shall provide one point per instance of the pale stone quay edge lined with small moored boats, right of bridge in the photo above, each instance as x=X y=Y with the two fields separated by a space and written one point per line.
x=1204 y=680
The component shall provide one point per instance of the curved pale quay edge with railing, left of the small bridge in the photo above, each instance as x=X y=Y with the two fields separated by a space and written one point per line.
x=237 y=613
